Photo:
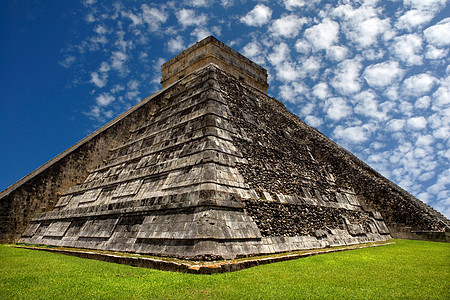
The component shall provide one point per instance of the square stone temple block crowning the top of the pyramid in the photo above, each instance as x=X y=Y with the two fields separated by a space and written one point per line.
x=210 y=50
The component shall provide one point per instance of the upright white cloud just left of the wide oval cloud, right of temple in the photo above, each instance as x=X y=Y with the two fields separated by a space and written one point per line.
x=347 y=80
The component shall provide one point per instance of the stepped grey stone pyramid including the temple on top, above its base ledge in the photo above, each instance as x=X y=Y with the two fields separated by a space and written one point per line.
x=209 y=167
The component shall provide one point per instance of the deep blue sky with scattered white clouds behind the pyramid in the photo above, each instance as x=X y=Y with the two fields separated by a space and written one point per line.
x=372 y=75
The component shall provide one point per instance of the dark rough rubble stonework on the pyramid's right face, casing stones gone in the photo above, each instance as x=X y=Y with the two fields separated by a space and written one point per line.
x=286 y=160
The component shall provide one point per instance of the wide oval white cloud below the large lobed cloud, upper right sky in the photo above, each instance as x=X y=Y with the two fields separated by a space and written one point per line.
x=383 y=74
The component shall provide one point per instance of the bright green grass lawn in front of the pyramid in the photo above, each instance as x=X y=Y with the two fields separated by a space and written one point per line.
x=407 y=269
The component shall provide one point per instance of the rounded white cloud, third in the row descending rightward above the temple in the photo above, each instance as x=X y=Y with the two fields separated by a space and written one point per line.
x=322 y=36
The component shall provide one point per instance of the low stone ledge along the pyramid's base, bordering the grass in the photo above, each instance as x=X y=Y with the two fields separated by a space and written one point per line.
x=189 y=266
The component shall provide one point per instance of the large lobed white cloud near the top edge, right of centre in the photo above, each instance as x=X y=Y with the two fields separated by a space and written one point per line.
x=361 y=25
